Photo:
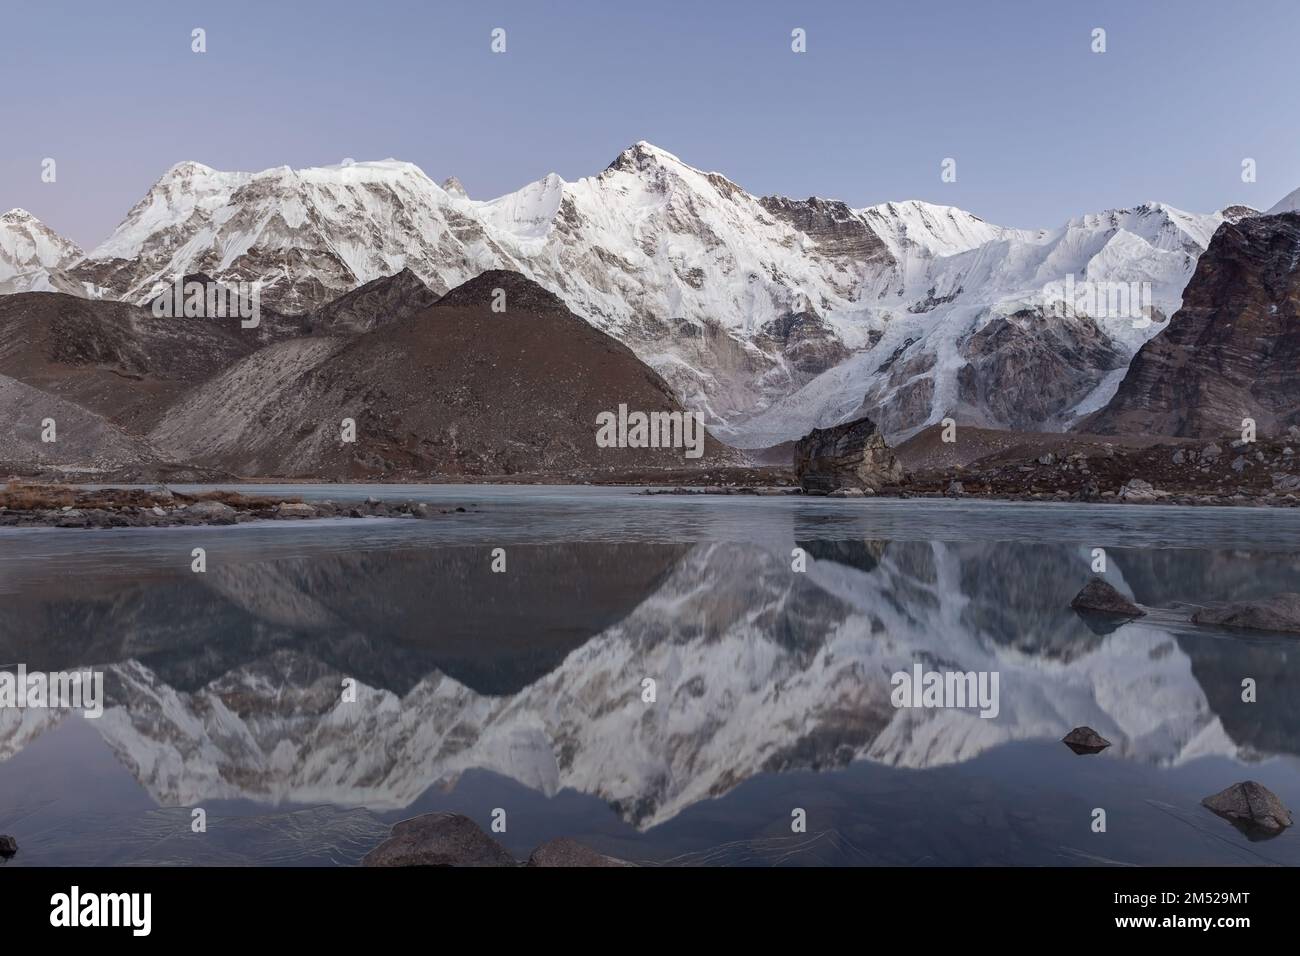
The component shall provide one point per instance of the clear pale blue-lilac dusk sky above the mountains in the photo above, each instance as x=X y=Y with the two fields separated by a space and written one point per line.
x=1041 y=127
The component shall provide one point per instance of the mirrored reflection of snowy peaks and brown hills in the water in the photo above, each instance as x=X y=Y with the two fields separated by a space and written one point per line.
x=228 y=685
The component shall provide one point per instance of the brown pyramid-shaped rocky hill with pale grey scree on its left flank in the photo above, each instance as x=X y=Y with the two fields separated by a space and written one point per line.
x=456 y=390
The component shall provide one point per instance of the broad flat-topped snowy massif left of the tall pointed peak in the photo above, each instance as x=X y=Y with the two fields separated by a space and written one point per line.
x=307 y=235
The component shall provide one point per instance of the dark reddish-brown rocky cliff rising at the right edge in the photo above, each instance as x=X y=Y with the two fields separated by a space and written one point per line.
x=1230 y=353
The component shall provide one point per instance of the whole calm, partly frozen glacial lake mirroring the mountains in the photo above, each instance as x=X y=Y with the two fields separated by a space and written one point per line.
x=523 y=691
